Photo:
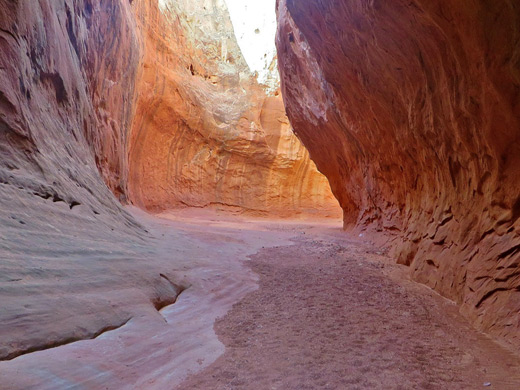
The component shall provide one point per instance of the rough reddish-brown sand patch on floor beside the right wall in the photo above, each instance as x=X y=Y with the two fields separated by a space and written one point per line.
x=332 y=314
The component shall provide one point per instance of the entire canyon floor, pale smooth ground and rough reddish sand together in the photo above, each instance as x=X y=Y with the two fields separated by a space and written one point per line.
x=271 y=304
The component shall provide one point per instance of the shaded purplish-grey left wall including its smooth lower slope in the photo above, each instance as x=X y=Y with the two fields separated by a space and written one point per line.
x=64 y=112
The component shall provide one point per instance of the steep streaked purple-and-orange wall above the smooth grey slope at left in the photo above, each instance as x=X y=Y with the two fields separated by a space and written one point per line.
x=66 y=105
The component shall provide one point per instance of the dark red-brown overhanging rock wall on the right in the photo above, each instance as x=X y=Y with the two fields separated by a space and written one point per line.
x=412 y=111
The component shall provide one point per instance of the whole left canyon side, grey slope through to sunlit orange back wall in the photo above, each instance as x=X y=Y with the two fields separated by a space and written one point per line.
x=92 y=91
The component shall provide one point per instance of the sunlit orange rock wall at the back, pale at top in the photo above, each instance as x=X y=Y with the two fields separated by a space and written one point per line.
x=205 y=133
